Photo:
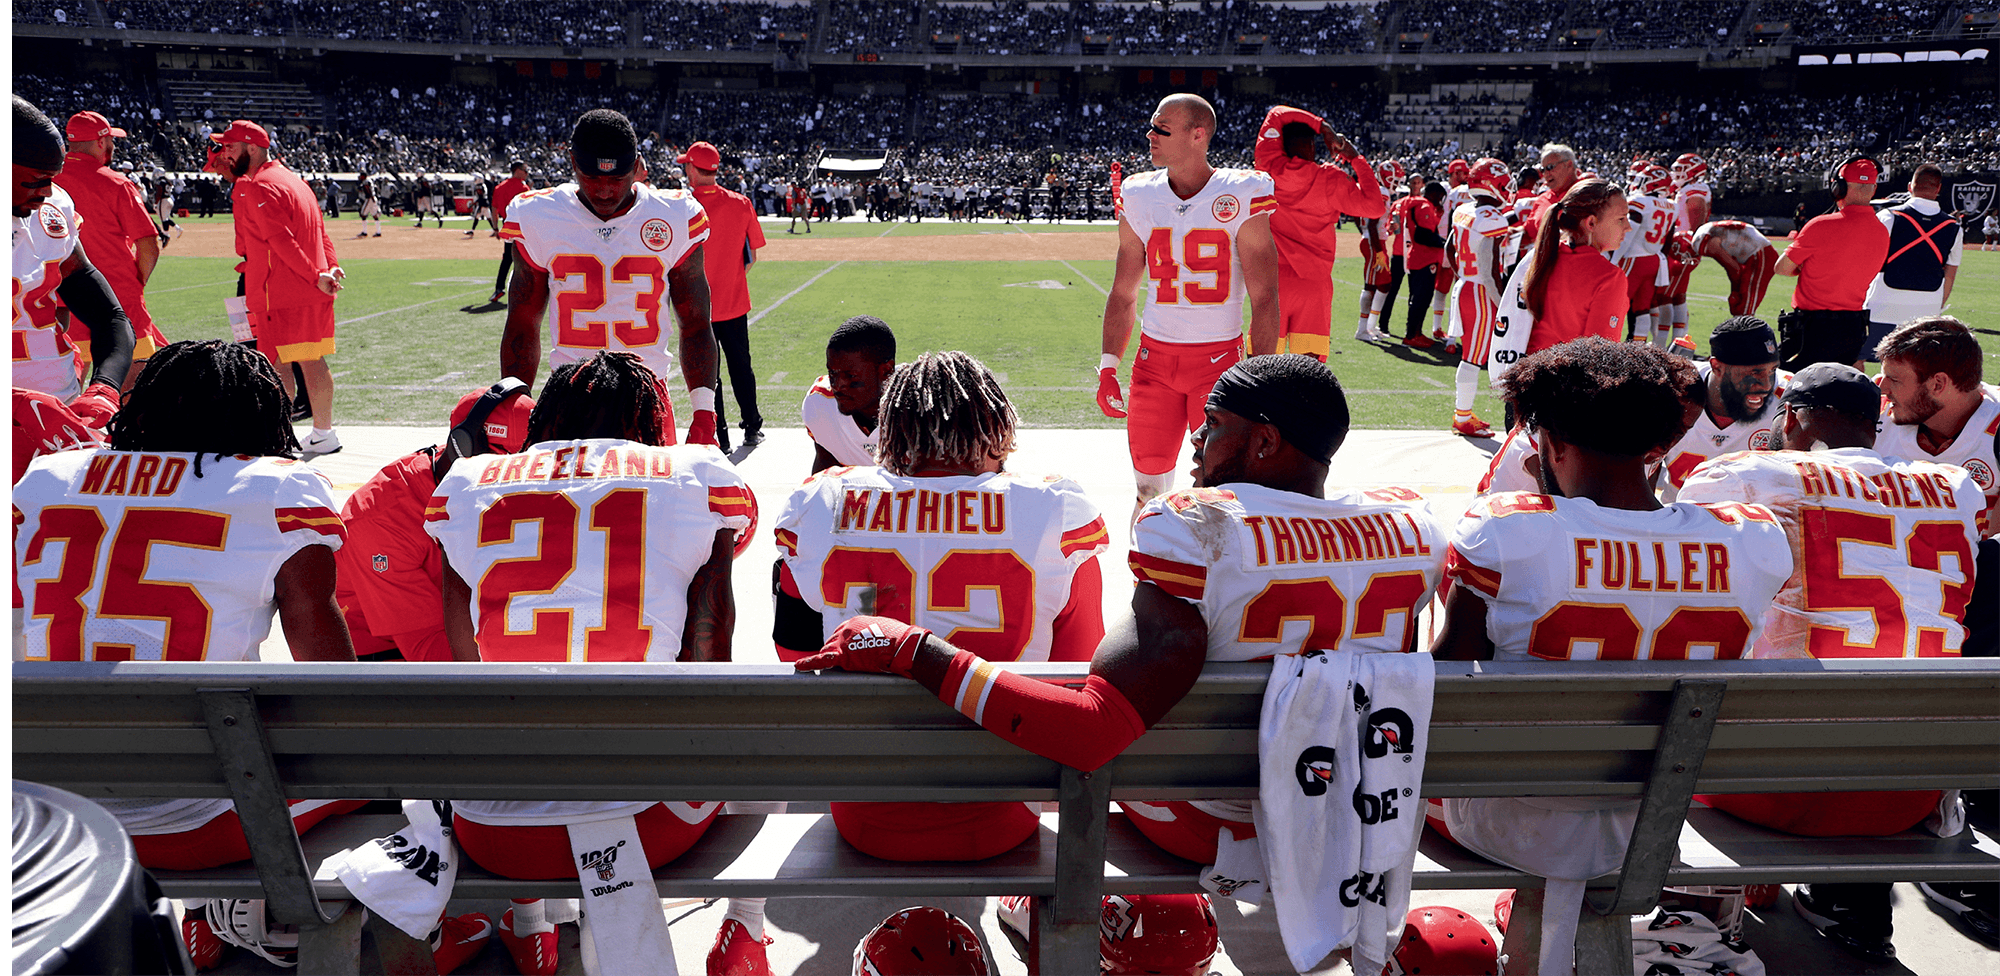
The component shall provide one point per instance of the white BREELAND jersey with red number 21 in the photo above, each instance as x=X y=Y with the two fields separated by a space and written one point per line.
x=581 y=551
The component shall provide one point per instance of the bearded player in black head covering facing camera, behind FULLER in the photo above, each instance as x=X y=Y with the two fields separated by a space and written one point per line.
x=1743 y=385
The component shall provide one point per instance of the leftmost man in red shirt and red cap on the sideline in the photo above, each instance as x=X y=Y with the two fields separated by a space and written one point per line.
x=119 y=233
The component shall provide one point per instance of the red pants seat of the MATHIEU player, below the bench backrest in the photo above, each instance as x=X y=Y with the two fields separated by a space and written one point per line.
x=935 y=831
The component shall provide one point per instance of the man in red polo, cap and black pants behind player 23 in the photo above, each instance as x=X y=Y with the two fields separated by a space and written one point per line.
x=733 y=243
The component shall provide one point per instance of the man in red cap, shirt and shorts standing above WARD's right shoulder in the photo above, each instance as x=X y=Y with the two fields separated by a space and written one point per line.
x=291 y=273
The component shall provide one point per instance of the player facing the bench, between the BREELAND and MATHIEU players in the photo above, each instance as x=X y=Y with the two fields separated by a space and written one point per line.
x=841 y=409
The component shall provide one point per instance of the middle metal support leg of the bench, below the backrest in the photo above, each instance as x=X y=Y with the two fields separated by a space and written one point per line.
x=1067 y=933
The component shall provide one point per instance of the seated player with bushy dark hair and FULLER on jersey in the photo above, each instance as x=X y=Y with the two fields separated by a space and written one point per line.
x=1595 y=569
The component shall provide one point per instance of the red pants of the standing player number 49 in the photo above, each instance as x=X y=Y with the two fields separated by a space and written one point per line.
x=1169 y=397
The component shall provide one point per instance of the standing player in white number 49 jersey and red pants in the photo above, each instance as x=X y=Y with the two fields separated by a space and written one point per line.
x=1199 y=241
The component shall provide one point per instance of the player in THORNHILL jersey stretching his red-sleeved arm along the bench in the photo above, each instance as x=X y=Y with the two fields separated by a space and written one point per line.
x=1299 y=569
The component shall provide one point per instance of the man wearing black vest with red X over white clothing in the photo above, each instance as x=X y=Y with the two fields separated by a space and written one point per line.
x=1925 y=249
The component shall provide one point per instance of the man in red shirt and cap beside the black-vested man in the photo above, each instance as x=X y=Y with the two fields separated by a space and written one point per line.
x=1835 y=259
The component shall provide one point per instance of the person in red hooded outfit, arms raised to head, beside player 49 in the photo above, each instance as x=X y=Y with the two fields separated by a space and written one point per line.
x=1311 y=201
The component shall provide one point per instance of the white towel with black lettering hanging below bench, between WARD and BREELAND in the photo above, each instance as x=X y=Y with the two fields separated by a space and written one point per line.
x=409 y=875
